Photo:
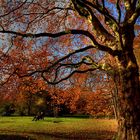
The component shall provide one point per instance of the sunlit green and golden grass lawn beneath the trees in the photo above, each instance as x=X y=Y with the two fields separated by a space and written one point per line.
x=59 y=128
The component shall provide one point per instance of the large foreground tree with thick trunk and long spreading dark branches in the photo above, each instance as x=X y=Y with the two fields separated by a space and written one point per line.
x=79 y=26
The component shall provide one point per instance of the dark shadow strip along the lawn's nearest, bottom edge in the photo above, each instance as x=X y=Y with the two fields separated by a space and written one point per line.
x=99 y=135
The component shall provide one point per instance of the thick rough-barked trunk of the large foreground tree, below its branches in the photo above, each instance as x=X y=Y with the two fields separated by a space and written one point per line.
x=129 y=100
